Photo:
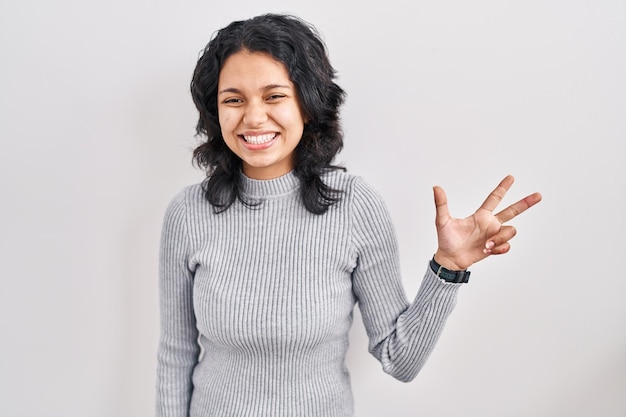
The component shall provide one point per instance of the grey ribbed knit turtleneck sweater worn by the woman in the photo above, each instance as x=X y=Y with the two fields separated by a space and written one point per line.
x=257 y=301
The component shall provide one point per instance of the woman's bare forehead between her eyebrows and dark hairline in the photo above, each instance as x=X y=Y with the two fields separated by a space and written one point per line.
x=245 y=68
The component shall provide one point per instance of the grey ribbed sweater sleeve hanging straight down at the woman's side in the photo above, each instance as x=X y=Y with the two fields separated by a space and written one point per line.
x=178 y=347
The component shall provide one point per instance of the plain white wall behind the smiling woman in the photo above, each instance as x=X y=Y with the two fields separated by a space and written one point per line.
x=97 y=129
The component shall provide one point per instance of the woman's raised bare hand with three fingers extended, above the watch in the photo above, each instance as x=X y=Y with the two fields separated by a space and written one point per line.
x=463 y=242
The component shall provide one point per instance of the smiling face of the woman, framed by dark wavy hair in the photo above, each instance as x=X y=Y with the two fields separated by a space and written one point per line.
x=259 y=113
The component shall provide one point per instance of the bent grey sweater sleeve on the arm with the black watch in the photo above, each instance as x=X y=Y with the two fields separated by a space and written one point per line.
x=401 y=334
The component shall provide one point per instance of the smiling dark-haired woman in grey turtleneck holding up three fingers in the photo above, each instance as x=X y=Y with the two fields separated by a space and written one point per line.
x=262 y=263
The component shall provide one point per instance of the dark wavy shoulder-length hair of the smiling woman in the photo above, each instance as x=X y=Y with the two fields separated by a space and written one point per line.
x=298 y=46
